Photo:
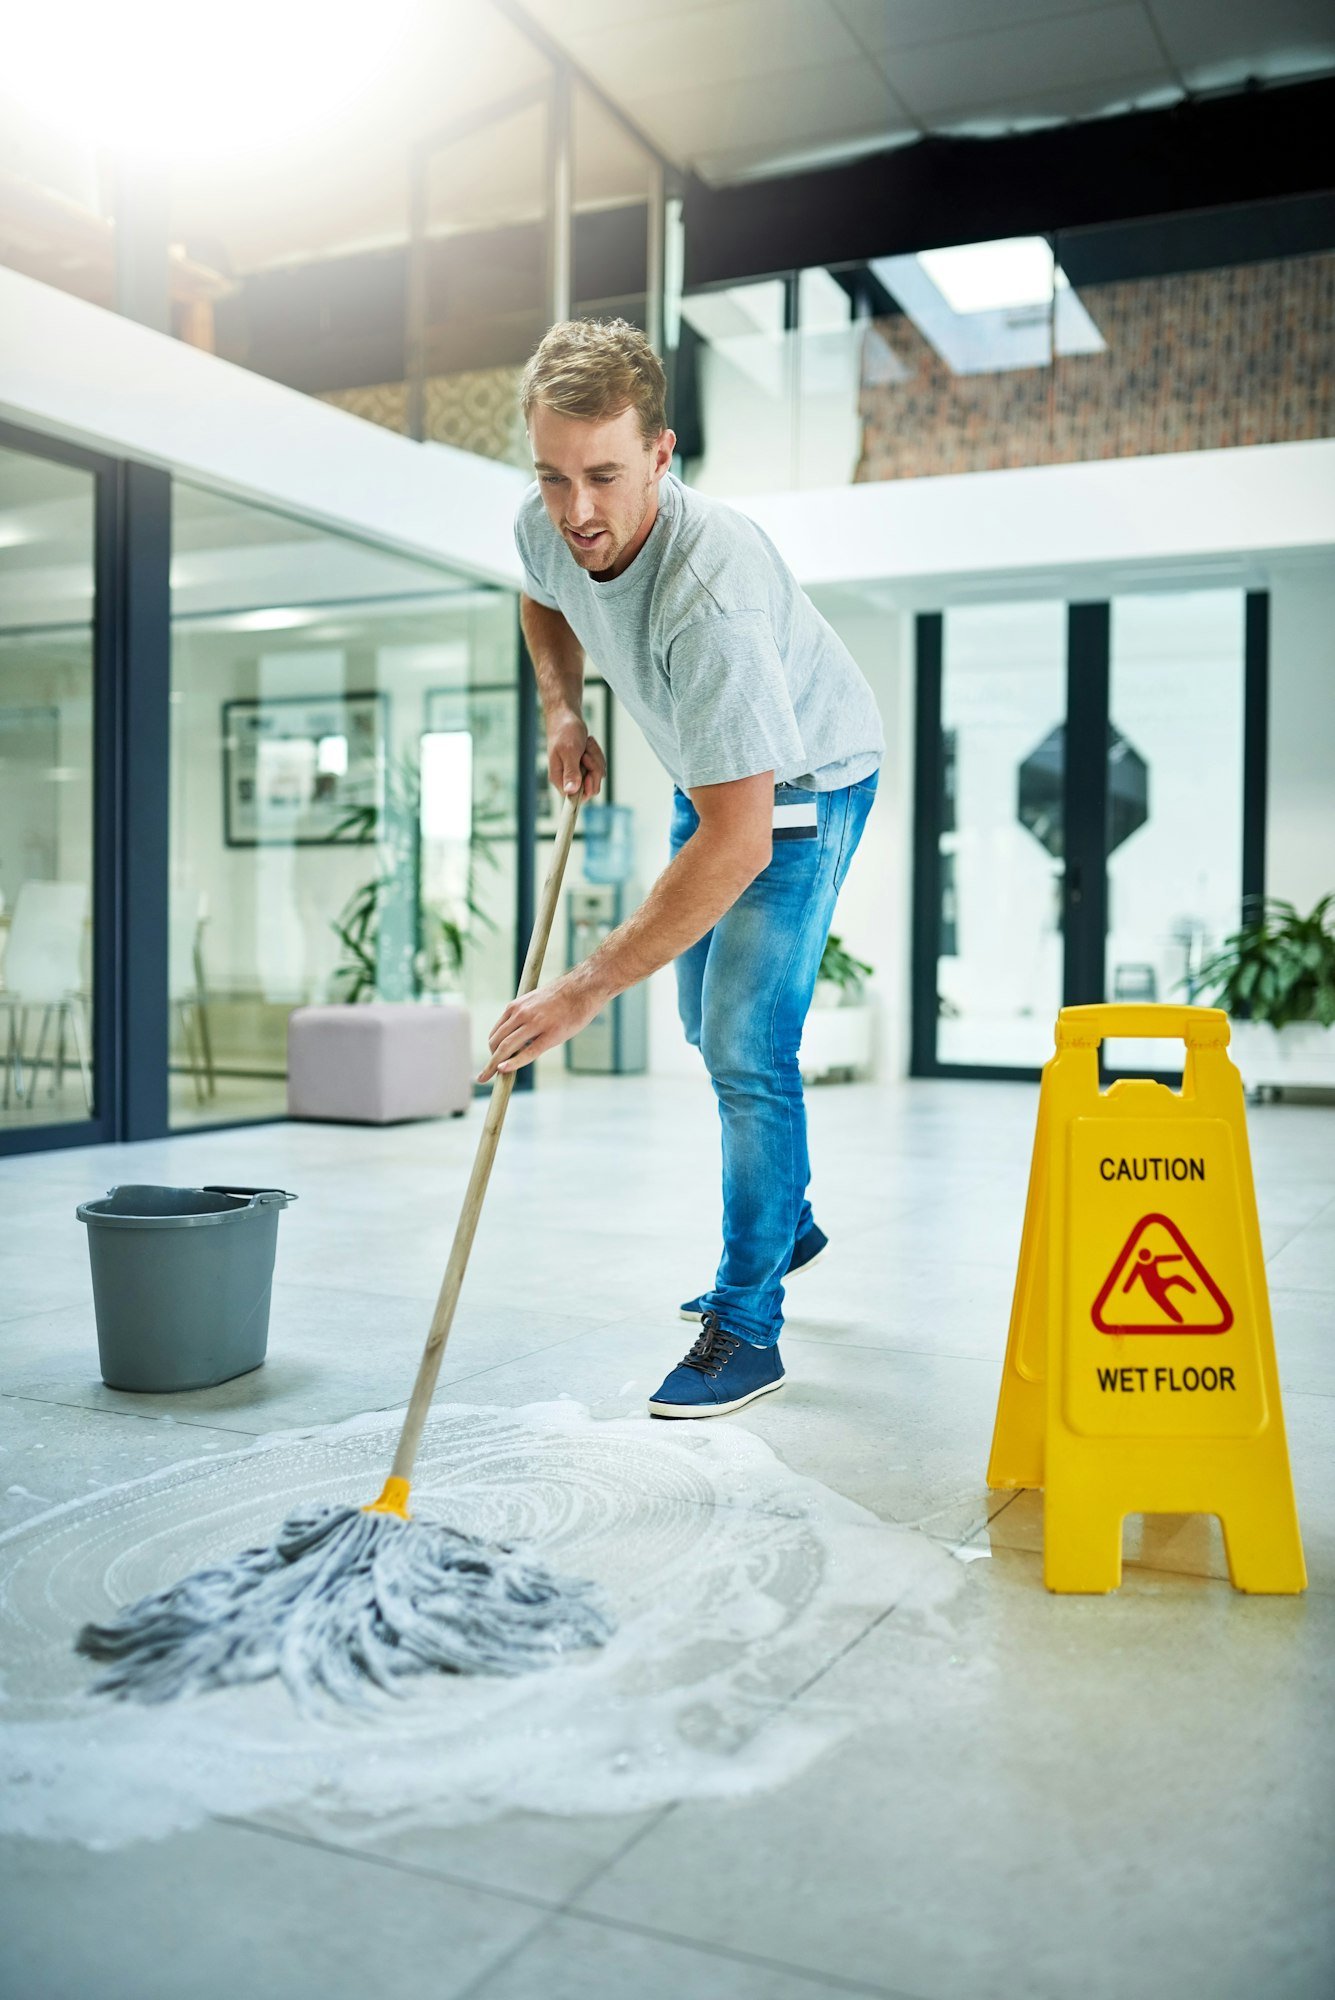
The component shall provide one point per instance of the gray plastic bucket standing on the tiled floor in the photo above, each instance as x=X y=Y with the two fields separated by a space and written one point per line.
x=181 y=1283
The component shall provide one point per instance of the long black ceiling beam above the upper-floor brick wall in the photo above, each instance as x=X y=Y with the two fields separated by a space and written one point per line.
x=1214 y=153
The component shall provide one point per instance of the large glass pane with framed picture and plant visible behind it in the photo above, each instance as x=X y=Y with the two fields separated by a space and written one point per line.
x=345 y=737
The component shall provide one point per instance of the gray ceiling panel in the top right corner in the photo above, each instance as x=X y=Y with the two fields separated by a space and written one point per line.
x=1220 y=43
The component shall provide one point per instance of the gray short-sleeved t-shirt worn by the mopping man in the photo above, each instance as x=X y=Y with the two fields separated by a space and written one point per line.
x=712 y=647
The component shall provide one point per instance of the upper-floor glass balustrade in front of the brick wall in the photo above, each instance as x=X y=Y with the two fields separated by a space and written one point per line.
x=1176 y=335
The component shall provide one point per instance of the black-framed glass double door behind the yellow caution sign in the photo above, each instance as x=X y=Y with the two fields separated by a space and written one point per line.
x=1086 y=789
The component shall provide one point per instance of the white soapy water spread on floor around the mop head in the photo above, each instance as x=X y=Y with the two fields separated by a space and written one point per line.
x=732 y=1579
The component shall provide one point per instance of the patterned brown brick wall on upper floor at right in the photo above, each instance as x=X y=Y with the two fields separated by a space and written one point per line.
x=1194 y=363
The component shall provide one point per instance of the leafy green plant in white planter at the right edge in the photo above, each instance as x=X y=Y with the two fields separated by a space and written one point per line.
x=1276 y=979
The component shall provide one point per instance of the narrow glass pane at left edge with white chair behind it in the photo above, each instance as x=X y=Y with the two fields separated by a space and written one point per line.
x=47 y=679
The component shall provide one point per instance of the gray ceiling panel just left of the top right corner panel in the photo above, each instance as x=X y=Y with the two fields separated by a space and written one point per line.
x=1038 y=57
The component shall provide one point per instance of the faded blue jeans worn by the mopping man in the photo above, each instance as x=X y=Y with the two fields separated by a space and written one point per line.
x=744 y=993
